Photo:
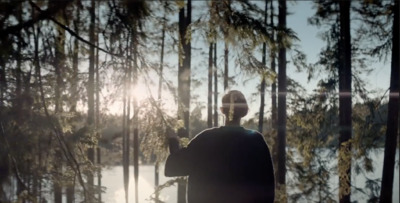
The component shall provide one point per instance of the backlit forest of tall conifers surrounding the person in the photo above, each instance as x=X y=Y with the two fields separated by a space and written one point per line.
x=88 y=85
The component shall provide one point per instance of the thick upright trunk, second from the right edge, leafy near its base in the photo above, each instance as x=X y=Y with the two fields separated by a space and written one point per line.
x=344 y=162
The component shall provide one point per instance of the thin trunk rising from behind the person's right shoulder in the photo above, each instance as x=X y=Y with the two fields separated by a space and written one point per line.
x=263 y=84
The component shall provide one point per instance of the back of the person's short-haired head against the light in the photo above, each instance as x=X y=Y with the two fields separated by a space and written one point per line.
x=234 y=105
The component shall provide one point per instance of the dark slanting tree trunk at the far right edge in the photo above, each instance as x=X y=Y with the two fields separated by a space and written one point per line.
x=393 y=113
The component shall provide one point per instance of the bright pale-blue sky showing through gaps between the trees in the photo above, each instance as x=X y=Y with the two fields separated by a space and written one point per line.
x=310 y=43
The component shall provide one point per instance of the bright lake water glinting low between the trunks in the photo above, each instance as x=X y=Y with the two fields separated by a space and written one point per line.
x=113 y=180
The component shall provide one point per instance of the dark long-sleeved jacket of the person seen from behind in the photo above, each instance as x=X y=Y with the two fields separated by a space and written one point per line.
x=225 y=164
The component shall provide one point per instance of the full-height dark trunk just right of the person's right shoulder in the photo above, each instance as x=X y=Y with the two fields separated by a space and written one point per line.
x=281 y=173
